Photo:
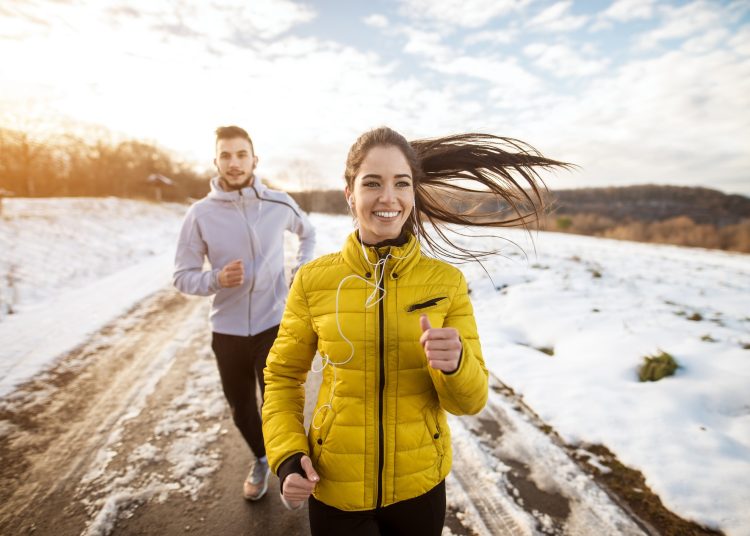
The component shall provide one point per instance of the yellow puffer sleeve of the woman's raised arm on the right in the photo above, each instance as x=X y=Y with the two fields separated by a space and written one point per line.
x=463 y=392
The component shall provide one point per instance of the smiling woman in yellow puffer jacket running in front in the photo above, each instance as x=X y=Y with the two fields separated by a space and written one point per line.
x=396 y=333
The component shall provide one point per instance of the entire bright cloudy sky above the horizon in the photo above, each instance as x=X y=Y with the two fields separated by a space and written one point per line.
x=632 y=91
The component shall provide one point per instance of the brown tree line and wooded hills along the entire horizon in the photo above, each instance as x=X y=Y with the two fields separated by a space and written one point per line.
x=69 y=165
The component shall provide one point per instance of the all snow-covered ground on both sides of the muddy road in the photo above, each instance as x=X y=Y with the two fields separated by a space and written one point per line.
x=69 y=266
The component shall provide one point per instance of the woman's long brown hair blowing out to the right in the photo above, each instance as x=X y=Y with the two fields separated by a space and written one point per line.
x=471 y=179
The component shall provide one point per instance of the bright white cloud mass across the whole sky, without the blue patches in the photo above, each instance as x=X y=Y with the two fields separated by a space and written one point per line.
x=172 y=74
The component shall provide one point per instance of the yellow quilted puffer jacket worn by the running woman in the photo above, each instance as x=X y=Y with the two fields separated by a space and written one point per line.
x=379 y=434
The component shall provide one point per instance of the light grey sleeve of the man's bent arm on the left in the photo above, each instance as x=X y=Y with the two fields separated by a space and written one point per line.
x=189 y=276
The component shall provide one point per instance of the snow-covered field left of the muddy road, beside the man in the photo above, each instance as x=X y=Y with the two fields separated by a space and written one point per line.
x=69 y=266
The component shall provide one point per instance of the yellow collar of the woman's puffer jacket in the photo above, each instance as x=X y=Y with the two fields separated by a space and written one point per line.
x=402 y=258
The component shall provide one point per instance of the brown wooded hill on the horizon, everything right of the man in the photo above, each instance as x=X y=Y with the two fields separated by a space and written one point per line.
x=688 y=216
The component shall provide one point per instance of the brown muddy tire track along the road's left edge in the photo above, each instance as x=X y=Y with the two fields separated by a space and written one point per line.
x=55 y=426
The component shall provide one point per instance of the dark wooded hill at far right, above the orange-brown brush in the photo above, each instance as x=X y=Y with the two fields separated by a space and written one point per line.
x=652 y=203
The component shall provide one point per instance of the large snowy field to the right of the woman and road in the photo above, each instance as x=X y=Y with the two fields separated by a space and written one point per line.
x=599 y=306
